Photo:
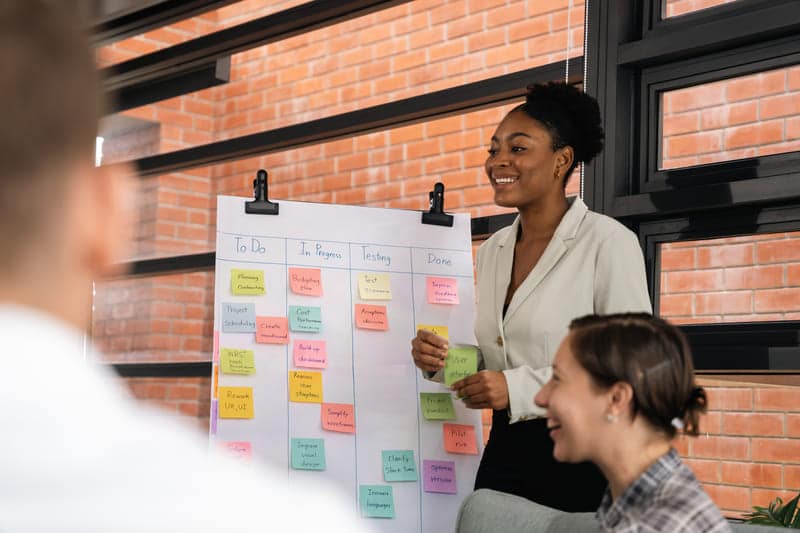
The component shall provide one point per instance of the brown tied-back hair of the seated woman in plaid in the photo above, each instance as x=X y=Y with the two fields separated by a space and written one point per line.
x=651 y=355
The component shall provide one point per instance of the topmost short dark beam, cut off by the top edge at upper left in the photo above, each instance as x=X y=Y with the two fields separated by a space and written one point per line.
x=120 y=25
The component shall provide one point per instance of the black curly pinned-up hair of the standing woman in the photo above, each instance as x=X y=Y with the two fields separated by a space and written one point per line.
x=571 y=116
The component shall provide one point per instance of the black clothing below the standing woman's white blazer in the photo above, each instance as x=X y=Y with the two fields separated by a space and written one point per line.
x=518 y=459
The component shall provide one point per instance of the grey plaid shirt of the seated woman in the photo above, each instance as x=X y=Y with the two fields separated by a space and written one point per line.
x=666 y=497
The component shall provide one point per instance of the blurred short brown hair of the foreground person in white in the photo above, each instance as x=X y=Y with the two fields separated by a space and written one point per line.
x=50 y=101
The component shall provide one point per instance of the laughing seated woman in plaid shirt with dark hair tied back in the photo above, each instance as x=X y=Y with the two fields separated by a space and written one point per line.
x=622 y=386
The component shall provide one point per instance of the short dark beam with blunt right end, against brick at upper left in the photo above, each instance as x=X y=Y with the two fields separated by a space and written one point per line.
x=138 y=94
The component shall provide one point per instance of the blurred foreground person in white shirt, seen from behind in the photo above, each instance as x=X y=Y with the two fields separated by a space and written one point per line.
x=77 y=454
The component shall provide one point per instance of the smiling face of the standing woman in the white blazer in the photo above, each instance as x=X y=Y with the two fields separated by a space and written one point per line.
x=522 y=166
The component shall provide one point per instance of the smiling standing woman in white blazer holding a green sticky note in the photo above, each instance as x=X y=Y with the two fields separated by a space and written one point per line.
x=556 y=262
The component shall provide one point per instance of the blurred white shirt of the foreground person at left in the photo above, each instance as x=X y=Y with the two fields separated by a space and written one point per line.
x=77 y=454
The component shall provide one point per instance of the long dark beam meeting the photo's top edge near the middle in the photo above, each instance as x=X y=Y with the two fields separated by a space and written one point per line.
x=191 y=54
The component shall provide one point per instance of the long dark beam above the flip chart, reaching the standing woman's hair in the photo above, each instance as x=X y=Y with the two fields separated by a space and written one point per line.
x=430 y=106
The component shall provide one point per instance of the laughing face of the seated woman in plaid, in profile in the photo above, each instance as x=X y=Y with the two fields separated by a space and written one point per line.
x=576 y=408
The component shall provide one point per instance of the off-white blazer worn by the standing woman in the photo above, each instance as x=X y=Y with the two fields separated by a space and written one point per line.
x=592 y=264
